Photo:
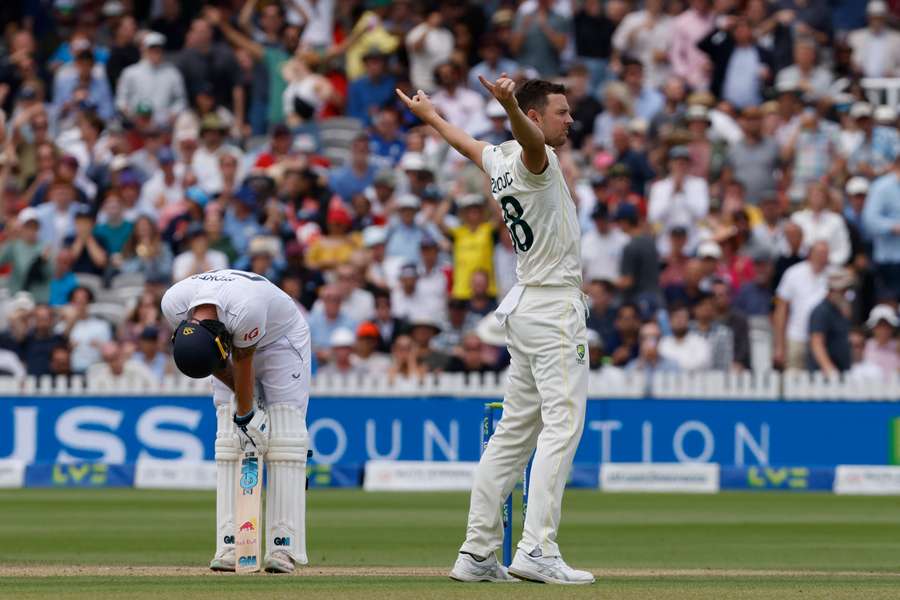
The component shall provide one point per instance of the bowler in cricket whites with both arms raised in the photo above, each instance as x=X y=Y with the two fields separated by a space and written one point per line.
x=544 y=316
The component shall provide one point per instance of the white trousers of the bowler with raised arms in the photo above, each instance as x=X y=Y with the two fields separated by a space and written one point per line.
x=544 y=406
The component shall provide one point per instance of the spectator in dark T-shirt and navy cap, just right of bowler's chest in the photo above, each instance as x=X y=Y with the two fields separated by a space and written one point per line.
x=639 y=268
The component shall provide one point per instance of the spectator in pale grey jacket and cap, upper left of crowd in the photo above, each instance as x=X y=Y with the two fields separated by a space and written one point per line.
x=153 y=83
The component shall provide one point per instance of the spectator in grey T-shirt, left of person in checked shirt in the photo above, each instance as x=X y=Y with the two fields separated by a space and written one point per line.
x=754 y=159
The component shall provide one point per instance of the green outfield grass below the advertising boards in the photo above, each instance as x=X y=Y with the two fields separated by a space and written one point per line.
x=627 y=535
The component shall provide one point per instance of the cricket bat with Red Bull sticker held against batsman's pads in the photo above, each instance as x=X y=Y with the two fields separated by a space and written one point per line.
x=248 y=521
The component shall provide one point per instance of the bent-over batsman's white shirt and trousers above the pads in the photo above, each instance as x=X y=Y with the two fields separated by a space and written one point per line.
x=255 y=312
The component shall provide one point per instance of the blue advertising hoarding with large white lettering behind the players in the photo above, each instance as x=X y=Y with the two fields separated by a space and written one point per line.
x=349 y=431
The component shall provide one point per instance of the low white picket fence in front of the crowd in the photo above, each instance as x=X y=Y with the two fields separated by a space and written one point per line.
x=762 y=386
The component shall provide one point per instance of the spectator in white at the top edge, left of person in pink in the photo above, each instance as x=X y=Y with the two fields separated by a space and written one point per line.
x=646 y=35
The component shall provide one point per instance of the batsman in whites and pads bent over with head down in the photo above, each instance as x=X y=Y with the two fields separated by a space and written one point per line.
x=243 y=330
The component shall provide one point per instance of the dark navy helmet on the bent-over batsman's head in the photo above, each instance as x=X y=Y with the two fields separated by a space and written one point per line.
x=200 y=348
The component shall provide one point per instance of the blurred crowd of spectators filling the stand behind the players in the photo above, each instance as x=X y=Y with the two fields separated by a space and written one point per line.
x=738 y=185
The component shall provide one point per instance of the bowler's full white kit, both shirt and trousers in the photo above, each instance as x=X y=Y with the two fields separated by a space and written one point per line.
x=544 y=315
